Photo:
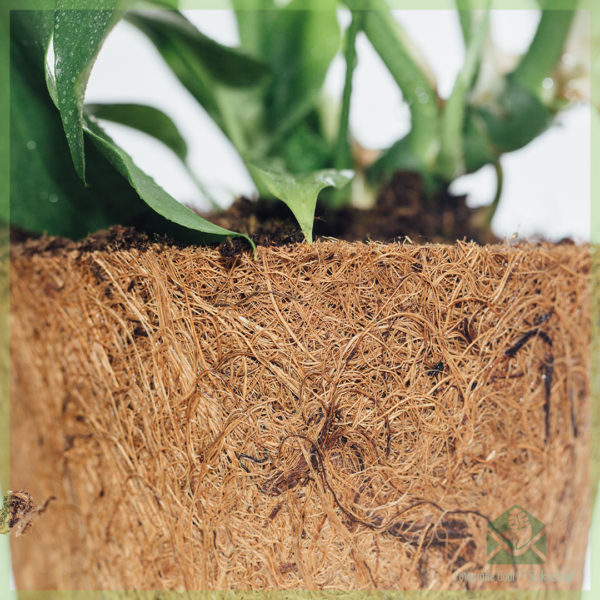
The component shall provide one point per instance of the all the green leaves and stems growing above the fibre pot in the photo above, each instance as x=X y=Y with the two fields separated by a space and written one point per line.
x=68 y=177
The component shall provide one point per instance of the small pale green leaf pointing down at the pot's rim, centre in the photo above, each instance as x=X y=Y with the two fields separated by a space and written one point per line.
x=300 y=192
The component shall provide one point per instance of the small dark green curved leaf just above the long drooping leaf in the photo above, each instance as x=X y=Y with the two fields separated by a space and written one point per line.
x=144 y=118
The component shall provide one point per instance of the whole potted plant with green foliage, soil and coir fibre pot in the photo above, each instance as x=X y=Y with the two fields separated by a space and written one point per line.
x=327 y=415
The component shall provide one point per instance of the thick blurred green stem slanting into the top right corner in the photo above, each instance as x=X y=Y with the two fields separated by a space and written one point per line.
x=544 y=51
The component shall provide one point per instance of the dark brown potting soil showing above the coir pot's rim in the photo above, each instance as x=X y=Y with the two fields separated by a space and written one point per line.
x=402 y=210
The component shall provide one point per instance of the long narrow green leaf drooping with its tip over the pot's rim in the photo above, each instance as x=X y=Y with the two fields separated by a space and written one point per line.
x=161 y=202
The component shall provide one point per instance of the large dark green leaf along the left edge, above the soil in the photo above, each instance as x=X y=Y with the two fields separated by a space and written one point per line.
x=46 y=194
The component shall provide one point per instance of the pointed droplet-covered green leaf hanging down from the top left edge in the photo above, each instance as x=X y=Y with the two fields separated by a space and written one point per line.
x=78 y=37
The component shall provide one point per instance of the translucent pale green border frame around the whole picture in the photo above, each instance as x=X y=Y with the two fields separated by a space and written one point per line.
x=594 y=592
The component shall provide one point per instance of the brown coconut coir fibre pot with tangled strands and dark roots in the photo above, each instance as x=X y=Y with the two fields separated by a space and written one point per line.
x=334 y=416
